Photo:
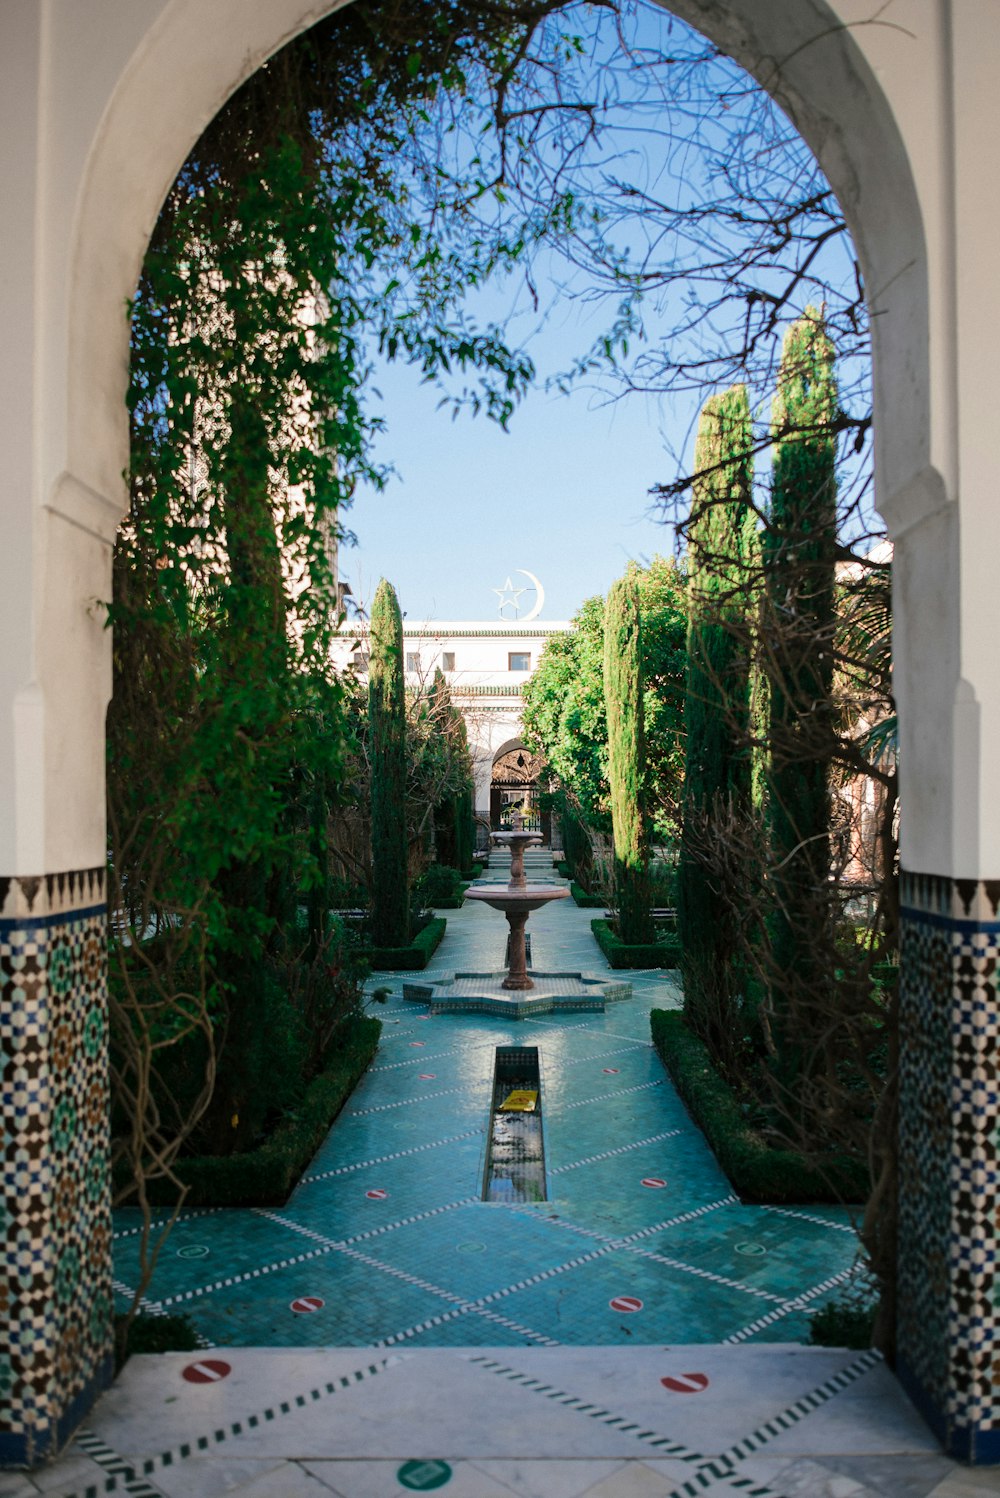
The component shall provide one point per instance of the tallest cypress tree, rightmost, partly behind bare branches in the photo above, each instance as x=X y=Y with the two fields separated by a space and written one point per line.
x=800 y=574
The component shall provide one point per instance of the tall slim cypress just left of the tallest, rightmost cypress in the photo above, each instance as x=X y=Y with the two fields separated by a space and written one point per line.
x=722 y=554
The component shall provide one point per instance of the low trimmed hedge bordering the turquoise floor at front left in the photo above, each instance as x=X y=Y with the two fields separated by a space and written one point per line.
x=266 y=1177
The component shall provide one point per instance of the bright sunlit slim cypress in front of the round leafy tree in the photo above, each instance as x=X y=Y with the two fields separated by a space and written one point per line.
x=626 y=757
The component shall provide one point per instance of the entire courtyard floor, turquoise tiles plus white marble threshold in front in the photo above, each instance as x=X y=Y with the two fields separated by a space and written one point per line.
x=388 y=1332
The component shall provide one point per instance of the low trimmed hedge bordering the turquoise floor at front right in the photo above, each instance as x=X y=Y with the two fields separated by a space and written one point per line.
x=757 y=1172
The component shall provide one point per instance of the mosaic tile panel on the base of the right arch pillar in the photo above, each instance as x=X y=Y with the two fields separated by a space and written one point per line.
x=950 y=1162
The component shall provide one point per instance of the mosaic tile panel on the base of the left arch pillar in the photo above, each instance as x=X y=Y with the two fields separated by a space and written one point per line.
x=56 y=1226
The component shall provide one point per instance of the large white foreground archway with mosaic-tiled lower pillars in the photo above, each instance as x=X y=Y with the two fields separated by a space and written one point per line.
x=124 y=98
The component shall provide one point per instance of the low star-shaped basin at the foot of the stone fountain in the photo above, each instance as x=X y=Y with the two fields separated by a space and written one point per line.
x=484 y=994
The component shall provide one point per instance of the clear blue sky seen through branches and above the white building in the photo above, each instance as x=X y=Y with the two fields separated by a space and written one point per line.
x=565 y=492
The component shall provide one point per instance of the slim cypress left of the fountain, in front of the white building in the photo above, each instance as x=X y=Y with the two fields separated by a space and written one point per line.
x=387 y=724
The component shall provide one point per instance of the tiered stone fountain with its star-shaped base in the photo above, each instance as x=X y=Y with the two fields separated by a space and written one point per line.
x=516 y=992
